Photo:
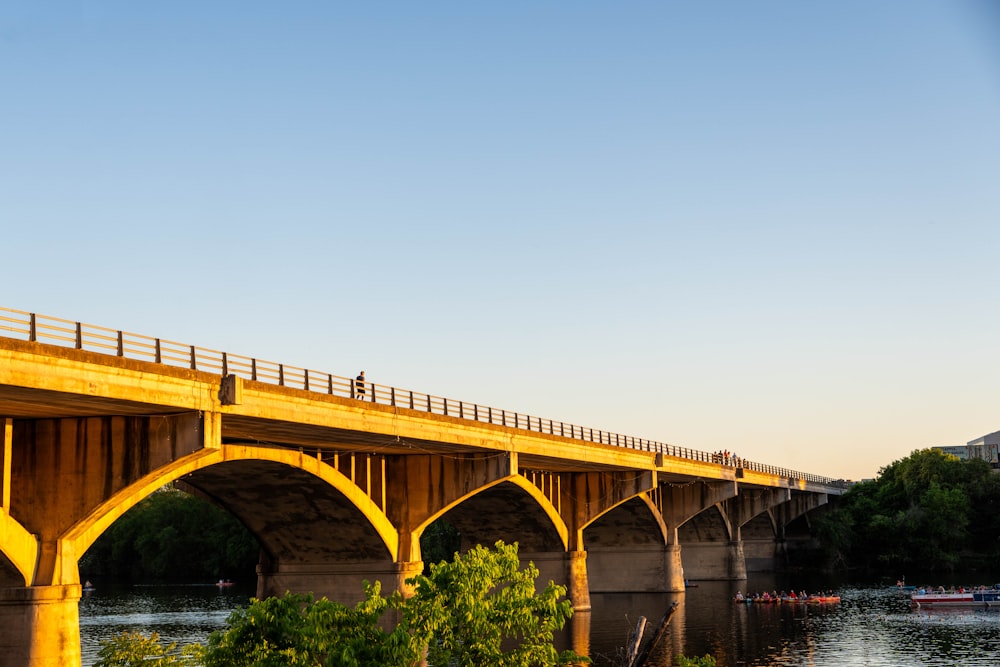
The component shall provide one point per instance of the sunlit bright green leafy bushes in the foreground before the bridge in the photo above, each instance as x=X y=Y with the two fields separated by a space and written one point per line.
x=479 y=609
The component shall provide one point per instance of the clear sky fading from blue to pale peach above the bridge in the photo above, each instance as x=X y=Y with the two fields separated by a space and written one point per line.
x=769 y=227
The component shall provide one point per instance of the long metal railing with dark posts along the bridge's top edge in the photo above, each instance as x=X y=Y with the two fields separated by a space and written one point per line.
x=66 y=333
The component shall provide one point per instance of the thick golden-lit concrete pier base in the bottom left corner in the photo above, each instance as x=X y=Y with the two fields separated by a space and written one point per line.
x=40 y=626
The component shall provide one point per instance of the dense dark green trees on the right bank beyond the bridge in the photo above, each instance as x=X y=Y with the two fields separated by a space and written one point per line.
x=929 y=511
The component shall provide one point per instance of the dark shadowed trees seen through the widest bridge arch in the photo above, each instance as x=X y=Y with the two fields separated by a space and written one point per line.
x=172 y=536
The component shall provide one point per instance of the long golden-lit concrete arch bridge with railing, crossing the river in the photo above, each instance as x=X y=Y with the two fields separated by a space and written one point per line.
x=337 y=484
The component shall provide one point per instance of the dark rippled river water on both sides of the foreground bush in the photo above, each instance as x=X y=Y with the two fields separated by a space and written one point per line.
x=873 y=625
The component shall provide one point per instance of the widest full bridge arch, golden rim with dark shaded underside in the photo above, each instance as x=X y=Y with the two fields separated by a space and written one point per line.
x=249 y=481
